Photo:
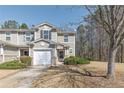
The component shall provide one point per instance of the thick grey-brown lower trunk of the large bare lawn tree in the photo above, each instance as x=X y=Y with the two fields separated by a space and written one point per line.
x=111 y=63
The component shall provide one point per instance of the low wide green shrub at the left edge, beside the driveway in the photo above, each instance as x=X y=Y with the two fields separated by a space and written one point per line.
x=15 y=64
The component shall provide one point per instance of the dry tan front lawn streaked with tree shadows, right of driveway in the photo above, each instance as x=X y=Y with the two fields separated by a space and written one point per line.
x=78 y=76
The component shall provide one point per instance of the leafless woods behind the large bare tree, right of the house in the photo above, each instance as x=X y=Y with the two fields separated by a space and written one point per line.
x=93 y=42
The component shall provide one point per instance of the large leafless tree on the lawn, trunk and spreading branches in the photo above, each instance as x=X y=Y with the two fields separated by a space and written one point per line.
x=111 y=19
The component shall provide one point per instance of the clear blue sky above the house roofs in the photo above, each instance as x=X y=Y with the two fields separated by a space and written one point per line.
x=32 y=15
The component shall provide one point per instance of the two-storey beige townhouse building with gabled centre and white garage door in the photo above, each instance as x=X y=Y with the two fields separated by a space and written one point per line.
x=45 y=43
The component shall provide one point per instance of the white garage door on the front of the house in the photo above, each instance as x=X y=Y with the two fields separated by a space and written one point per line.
x=42 y=57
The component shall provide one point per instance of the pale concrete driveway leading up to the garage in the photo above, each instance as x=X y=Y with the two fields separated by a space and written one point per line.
x=22 y=79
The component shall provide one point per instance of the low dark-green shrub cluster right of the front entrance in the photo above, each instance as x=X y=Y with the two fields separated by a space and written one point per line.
x=75 y=60
